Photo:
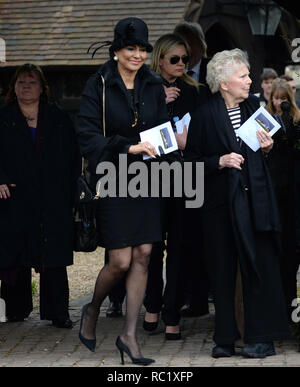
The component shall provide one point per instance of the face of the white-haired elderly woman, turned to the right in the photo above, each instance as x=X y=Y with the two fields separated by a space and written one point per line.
x=236 y=89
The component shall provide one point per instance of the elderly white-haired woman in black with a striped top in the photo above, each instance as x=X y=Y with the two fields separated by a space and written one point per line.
x=240 y=223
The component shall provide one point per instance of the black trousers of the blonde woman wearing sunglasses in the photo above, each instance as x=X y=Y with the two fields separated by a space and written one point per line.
x=170 y=300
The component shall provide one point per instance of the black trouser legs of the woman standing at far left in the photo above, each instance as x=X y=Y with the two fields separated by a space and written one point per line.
x=54 y=294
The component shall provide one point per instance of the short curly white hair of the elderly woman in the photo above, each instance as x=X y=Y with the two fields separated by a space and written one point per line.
x=223 y=65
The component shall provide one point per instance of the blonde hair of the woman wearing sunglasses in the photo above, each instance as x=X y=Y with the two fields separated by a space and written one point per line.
x=162 y=46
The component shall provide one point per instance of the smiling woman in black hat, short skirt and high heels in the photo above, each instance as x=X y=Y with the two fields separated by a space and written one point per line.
x=134 y=101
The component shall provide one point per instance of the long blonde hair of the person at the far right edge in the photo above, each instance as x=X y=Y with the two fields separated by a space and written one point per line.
x=282 y=87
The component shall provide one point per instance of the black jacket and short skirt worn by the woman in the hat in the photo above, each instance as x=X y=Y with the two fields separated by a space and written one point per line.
x=122 y=221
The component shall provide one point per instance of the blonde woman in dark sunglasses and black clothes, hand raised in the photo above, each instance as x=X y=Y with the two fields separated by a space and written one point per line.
x=183 y=94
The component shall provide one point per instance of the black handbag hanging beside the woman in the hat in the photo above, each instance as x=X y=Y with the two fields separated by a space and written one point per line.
x=85 y=231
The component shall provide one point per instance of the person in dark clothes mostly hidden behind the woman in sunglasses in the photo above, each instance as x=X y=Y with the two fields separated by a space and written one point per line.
x=196 y=286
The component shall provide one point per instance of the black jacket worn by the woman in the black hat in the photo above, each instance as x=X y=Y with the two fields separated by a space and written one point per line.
x=149 y=102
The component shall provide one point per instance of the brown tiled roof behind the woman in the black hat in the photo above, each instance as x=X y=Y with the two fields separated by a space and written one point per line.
x=60 y=32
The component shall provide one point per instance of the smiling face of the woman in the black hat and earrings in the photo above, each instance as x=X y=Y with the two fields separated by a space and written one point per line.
x=131 y=58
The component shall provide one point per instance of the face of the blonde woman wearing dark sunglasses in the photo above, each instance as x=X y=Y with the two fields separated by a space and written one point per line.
x=171 y=71
